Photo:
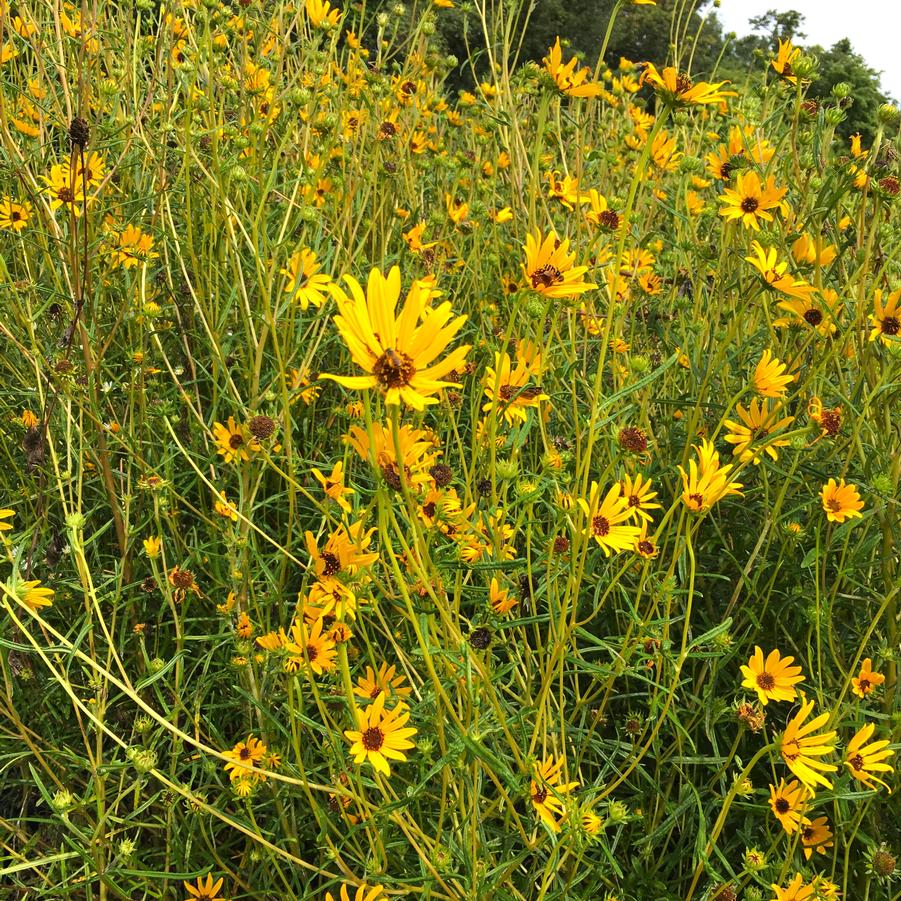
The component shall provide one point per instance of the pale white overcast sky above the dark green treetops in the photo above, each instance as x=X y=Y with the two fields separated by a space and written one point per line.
x=873 y=27
